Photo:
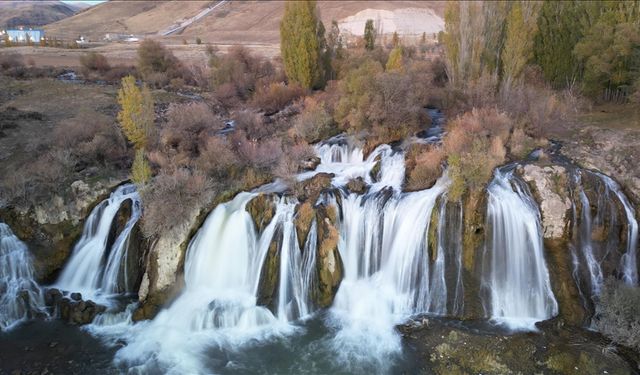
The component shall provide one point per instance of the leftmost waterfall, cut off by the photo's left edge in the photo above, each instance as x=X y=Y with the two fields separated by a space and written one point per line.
x=20 y=295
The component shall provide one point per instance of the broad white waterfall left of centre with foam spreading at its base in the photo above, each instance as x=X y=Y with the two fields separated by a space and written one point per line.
x=218 y=304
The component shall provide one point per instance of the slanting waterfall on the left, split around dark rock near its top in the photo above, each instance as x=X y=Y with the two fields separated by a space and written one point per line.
x=98 y=264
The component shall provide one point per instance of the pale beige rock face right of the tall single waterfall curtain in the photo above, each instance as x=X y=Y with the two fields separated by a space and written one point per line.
x=551 y=191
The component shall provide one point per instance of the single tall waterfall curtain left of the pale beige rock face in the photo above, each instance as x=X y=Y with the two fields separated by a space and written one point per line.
x=515 y=273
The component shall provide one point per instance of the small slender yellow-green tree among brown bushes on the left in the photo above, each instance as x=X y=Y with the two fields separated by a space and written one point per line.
x=136 y=114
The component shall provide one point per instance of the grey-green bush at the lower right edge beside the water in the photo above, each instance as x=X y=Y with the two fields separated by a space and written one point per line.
x=618 y=313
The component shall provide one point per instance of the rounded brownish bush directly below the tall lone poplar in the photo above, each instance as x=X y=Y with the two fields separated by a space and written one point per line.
x=315 y=123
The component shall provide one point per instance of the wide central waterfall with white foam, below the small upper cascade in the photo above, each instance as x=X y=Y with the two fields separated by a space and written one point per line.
x=383 y=245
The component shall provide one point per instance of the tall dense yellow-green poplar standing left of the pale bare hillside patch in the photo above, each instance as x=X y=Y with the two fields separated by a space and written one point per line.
x=302 y=44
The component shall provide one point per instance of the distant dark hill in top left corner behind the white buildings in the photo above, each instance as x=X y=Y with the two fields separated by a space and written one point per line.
x=33 y=13
